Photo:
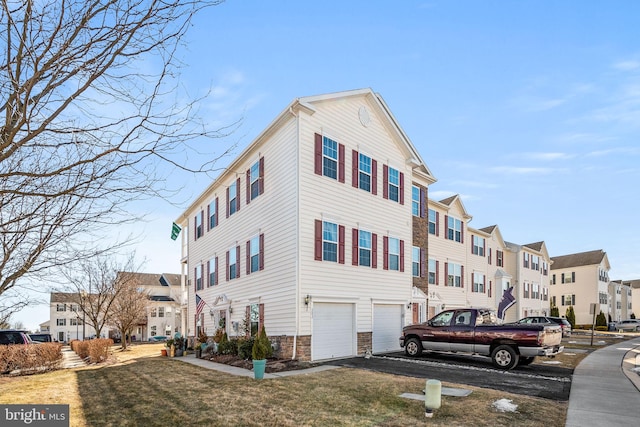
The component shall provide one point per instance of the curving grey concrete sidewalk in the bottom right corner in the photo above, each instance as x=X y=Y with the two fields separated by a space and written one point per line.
x=605 y=390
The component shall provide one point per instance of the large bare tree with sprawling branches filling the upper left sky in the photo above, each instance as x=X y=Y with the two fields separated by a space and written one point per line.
x=91 y=118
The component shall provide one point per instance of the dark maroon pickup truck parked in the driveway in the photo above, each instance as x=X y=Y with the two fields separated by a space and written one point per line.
x=476 y=331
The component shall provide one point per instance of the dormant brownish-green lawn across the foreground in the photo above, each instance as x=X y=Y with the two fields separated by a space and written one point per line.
x=143 y=389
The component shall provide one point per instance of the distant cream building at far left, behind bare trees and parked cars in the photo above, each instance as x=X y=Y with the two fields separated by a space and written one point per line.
x=66 y=321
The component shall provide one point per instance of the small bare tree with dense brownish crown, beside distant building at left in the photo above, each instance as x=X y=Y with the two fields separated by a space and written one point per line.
x=129 y=309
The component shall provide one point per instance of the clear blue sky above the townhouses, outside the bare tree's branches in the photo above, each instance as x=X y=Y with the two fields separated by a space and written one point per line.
x=530 y=110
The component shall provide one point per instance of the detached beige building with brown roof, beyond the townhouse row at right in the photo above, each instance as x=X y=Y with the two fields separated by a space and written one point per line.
x=580 y=280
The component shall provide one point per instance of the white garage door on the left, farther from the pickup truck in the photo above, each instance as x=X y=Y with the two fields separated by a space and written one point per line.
x=333 y=331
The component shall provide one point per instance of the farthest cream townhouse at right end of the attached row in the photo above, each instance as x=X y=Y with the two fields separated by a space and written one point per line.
x=529 y=266
